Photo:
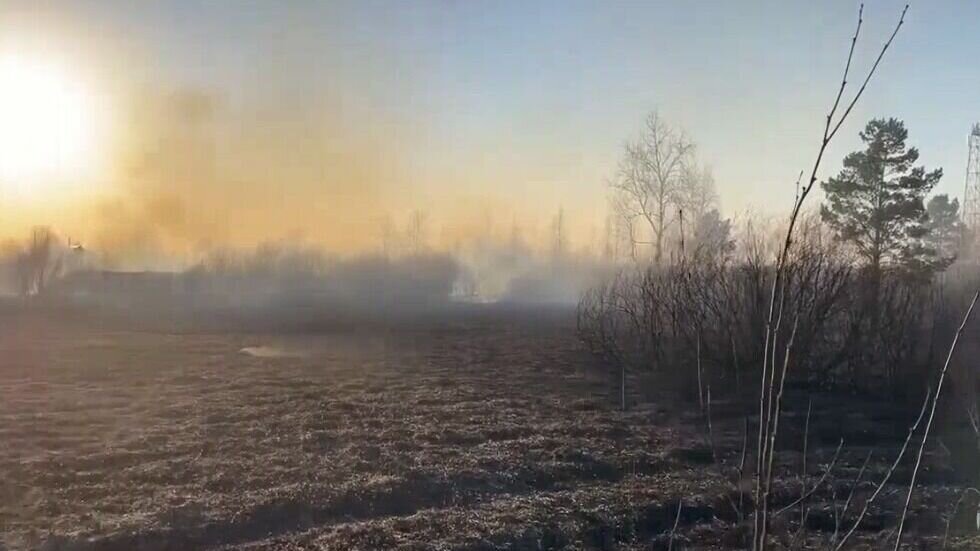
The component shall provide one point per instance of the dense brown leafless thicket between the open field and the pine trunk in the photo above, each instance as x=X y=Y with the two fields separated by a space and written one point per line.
x=656 y=317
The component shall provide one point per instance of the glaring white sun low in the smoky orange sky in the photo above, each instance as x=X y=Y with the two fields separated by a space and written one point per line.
x=49 y=132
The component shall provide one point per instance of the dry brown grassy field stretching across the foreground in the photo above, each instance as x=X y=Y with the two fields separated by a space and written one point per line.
x=483 y=432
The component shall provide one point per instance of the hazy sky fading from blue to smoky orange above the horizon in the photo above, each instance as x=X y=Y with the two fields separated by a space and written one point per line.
x=236 y=121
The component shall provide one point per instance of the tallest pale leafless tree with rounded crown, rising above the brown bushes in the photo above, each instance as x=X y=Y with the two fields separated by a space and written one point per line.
x=649 y=184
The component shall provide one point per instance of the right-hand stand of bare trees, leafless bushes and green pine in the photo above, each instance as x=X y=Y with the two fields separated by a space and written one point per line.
x=873 y=286
